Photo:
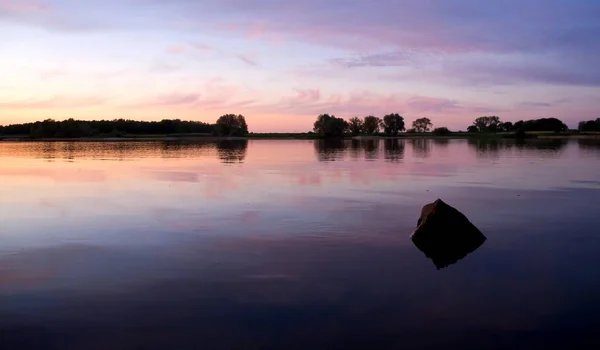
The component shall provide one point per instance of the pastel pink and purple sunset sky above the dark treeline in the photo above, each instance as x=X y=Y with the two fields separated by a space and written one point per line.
x=282 y=63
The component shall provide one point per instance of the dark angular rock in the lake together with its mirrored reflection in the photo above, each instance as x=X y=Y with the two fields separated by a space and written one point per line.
x=445 y=235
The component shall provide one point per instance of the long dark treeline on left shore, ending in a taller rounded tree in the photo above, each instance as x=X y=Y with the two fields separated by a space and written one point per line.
x=227 y=125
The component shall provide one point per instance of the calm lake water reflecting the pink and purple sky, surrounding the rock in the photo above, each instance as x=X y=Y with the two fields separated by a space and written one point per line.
x=295 y=245
